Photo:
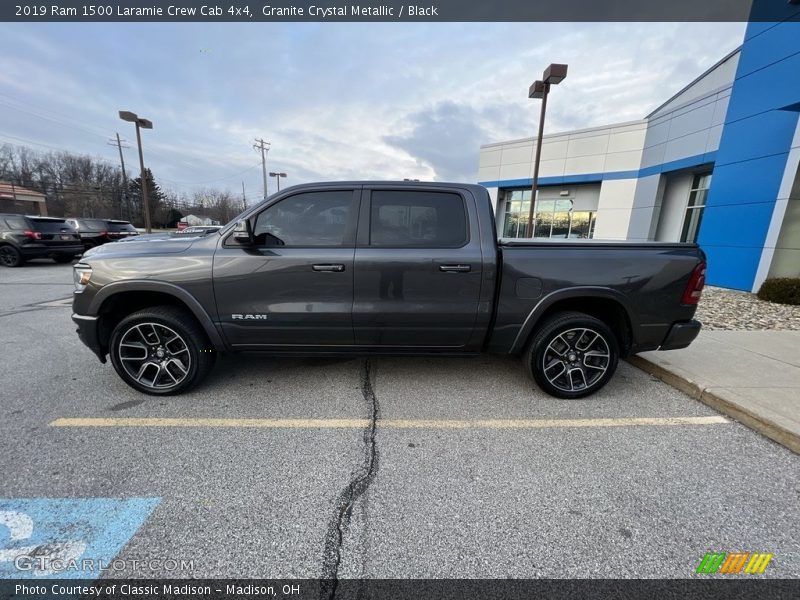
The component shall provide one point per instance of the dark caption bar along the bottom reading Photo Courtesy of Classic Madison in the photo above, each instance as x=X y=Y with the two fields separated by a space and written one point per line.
x=740 y=587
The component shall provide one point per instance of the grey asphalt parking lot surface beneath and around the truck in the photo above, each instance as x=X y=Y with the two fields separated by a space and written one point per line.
x=392 y=467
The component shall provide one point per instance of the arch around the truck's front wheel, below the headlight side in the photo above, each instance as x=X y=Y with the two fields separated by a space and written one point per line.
x=115 y=301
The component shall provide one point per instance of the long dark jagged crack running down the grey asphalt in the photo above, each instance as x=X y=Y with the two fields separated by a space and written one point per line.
x=359 y=482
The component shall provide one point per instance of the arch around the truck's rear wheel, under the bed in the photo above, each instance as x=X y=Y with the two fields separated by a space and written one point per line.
x=605 y=304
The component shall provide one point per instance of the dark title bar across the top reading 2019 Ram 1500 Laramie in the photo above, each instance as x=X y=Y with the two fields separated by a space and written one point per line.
x=398 y=10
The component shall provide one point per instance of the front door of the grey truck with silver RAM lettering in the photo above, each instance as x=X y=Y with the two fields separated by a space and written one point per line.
x=294 y=287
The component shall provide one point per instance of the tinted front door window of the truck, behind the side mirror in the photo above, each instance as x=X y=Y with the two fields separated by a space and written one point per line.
x=306 y=219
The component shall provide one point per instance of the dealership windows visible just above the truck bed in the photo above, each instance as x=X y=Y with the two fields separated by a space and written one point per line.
x=552 y=218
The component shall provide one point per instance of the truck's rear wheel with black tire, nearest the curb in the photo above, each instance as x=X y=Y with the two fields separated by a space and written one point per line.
x=566 y=355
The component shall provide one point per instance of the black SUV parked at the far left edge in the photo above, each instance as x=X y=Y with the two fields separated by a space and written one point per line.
x=25 y=237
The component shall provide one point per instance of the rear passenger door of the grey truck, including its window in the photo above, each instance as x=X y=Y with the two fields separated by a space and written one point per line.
x=418 y=268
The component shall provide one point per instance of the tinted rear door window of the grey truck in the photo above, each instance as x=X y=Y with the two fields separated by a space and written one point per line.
x=417 y=219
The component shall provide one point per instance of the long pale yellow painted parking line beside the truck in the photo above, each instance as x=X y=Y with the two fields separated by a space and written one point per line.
x=384 y=423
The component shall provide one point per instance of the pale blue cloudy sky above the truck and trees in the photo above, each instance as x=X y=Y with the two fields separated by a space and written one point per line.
x=337 y=101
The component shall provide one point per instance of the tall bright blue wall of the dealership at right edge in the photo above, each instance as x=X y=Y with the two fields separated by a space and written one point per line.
x=752 y=154
